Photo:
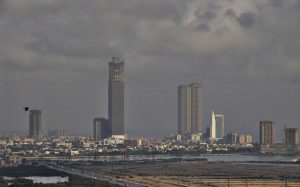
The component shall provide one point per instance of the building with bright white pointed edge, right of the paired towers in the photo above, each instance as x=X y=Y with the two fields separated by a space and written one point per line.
x=217 y=126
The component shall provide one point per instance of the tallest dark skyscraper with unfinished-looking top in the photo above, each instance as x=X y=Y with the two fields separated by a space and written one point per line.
x=116 y=97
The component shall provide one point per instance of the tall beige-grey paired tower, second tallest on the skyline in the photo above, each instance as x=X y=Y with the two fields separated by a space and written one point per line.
x=190 y=109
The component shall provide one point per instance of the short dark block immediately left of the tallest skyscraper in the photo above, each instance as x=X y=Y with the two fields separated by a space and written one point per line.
x=100 y=129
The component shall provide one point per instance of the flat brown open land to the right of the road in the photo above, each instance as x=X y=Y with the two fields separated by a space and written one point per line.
x=200 y=173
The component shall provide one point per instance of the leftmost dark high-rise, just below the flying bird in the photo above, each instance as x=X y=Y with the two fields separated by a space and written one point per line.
x=35 y=124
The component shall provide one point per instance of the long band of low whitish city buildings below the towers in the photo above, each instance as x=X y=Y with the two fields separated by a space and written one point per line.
x=14 y=149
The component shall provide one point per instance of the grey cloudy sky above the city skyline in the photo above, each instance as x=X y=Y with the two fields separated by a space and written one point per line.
x=54 y=56
